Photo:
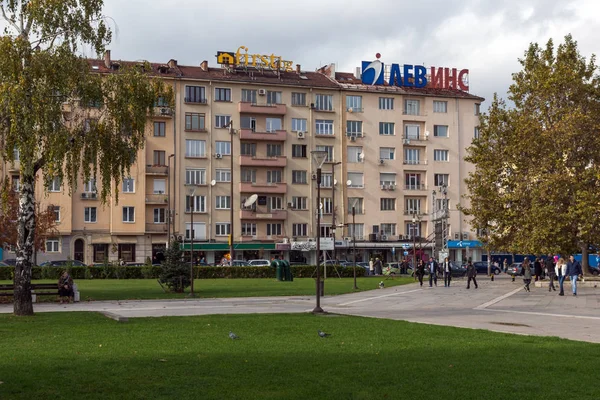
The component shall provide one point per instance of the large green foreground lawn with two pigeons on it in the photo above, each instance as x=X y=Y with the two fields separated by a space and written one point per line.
x=87 y=356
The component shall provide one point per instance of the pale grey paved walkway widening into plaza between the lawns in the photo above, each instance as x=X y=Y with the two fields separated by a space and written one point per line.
x=501 y=306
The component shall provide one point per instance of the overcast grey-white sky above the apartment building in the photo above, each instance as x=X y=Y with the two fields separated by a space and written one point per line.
x=485 y=36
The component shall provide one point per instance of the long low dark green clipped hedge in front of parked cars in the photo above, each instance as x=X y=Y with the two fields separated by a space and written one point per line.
x=152 y=272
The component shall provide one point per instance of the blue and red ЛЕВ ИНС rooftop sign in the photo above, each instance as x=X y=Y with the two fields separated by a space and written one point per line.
x=414 y=76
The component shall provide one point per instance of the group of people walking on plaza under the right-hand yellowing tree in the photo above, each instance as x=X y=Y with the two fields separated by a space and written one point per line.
x=556 y=268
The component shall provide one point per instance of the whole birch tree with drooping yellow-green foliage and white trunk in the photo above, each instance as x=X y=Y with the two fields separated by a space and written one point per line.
x=65 y=119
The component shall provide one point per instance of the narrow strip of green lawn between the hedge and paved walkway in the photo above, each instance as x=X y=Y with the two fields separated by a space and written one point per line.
x=126 y=289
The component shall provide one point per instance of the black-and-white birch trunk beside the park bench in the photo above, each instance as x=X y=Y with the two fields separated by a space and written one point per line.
x=25 y=244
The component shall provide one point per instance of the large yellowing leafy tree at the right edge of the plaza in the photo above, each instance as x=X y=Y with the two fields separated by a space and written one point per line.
x=536 y=183
